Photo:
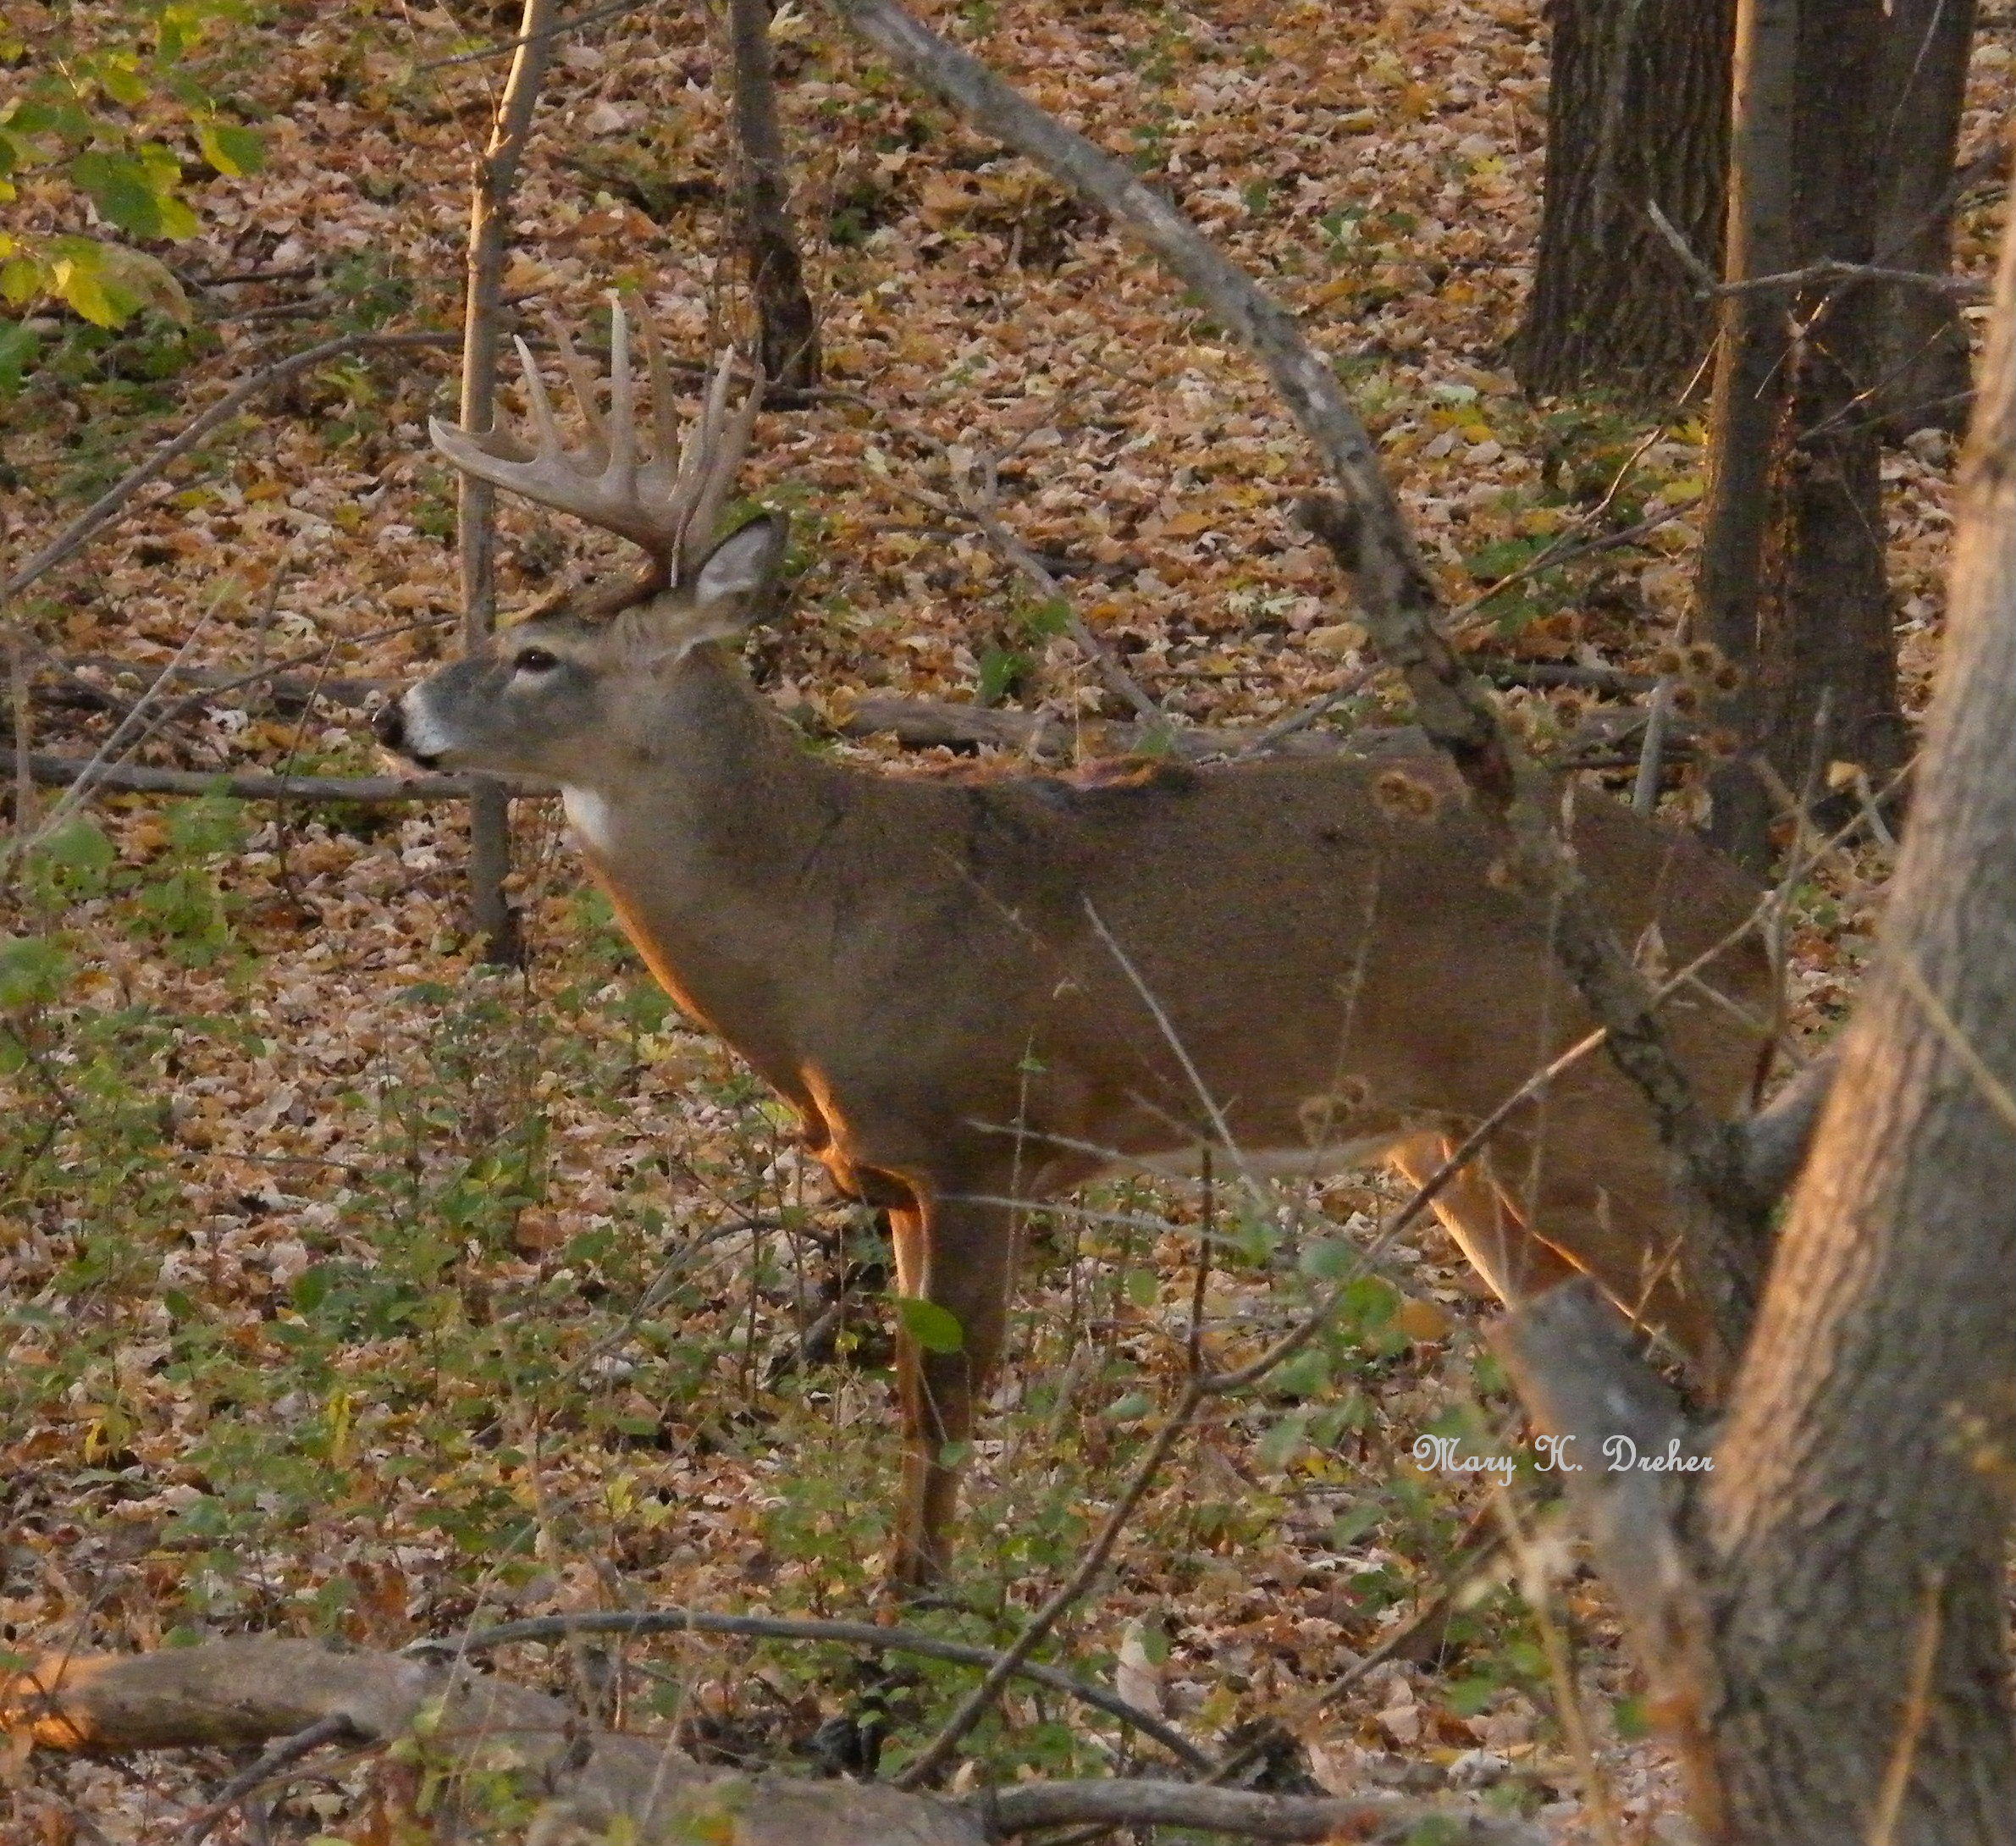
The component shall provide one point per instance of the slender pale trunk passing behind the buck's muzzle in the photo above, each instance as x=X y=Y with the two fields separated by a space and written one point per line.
x=497 y=174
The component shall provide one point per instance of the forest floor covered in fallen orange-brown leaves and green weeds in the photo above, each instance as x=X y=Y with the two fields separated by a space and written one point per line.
x=352 y=1289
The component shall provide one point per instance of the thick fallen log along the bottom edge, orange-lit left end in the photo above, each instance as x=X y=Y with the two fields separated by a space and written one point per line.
x=251 y=1692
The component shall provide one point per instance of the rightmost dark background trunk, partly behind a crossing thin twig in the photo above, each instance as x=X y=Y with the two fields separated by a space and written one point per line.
x=1922 y=352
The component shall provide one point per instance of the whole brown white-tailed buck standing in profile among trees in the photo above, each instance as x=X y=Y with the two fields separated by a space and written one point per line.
x=997 y=991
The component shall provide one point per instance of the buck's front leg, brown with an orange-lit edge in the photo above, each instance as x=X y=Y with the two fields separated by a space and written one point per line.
x=959 y=1259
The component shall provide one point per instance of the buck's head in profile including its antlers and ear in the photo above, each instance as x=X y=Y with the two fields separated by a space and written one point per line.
x=586 y=676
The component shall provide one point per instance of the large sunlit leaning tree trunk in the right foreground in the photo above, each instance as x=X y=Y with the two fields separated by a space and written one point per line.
x=1860 y=1508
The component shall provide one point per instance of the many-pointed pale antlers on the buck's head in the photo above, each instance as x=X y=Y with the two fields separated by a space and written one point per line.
x=668 y=503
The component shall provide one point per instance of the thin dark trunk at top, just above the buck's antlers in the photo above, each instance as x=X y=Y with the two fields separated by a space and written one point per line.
x=787 y=327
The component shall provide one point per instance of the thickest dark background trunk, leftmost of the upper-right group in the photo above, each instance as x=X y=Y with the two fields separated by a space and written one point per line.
x=1638 y=110
